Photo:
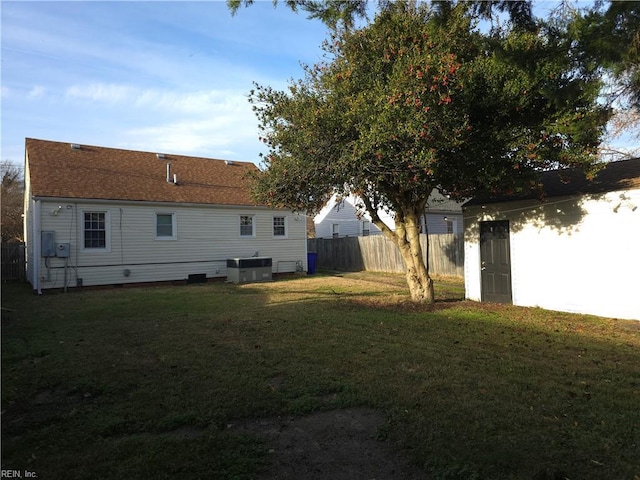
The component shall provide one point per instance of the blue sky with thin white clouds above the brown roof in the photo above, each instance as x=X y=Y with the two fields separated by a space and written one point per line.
x=158 y=76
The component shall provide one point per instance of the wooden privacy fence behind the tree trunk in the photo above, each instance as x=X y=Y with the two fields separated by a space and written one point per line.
x=378 y=253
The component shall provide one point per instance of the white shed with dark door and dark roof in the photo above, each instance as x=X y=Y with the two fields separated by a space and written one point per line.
x=577 y=250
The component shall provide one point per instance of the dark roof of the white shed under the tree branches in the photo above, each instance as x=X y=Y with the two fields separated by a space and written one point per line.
x=620 y=175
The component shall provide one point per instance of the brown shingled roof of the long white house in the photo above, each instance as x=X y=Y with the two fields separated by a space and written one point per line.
x=65 y=170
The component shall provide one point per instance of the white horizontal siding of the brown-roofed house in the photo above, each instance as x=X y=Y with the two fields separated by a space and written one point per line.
x=205 y=237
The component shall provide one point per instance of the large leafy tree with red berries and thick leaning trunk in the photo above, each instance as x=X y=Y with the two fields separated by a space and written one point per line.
x=420 y=99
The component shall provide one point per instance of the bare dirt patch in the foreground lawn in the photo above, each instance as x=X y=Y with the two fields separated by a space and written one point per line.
x=339 y=445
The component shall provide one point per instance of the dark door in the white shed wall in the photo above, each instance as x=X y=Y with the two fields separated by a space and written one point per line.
x=495 y=263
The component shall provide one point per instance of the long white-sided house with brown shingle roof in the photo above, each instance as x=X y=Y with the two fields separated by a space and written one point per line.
x=106 y=216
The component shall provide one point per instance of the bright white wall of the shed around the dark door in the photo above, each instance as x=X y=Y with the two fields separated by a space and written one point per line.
x=568 y=255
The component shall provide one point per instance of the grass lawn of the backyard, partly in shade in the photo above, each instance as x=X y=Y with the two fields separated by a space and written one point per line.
x=142 y=382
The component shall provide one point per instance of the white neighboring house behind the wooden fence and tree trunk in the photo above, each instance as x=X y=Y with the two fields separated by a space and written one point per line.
x=341 y=217
